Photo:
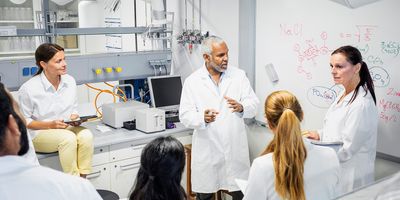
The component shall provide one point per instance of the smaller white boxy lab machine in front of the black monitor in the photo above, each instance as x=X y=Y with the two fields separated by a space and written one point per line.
x=150 y=120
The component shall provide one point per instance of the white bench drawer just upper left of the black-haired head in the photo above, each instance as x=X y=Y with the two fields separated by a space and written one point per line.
x=125 y=150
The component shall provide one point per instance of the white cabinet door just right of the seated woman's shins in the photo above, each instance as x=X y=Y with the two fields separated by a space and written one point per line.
x=100 y=177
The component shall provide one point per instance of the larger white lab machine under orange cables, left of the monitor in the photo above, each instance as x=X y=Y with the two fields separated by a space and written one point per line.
x=115 y=114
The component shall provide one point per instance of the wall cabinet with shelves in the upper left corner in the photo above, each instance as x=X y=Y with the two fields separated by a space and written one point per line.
x=28 y=15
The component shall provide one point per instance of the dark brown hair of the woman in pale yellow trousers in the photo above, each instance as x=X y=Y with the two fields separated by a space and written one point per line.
x=44 y=53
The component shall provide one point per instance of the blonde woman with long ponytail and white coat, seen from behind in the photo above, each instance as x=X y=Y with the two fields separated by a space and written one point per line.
x=291 y=168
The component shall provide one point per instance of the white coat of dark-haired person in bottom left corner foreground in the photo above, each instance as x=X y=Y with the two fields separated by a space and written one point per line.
x=20 y=179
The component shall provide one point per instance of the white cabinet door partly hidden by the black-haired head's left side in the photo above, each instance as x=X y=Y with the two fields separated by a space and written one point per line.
x=123 y=176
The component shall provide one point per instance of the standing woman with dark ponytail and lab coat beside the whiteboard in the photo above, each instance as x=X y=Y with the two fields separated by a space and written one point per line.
x=352 y=118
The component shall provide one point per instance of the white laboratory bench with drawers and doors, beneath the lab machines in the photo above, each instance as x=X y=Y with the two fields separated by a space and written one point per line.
x=116 y=158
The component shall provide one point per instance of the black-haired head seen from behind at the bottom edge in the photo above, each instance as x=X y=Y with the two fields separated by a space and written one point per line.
x=159 y=177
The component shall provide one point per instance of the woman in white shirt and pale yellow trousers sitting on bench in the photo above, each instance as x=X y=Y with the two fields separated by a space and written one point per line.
x=46 y=100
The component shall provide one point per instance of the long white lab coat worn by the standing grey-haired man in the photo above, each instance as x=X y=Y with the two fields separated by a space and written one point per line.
x=219 y=149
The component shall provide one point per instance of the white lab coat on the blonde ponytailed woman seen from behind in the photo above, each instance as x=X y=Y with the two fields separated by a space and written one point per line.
x=321 y=175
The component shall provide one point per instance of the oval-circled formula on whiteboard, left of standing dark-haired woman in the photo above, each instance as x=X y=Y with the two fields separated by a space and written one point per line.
x=321 y=97
